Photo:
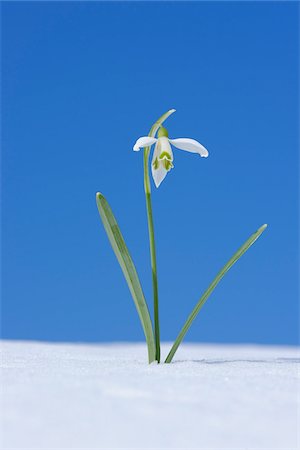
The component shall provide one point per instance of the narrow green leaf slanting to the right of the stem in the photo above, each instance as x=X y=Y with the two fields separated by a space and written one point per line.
x=210 y=289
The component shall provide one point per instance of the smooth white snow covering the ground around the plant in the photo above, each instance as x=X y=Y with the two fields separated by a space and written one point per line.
x=106 y=396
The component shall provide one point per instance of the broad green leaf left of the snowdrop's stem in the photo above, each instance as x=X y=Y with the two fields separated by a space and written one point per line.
x=118 y=244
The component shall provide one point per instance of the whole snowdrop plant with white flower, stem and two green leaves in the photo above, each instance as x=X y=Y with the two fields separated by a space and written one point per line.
x=162 y=163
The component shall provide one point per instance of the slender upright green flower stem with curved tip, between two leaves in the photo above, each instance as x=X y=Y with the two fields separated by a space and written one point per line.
x=147 y=188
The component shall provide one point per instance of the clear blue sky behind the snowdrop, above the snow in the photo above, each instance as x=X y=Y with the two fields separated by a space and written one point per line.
x=80 y=82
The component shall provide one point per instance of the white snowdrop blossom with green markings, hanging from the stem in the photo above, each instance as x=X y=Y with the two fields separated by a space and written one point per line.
x=162 y=161
